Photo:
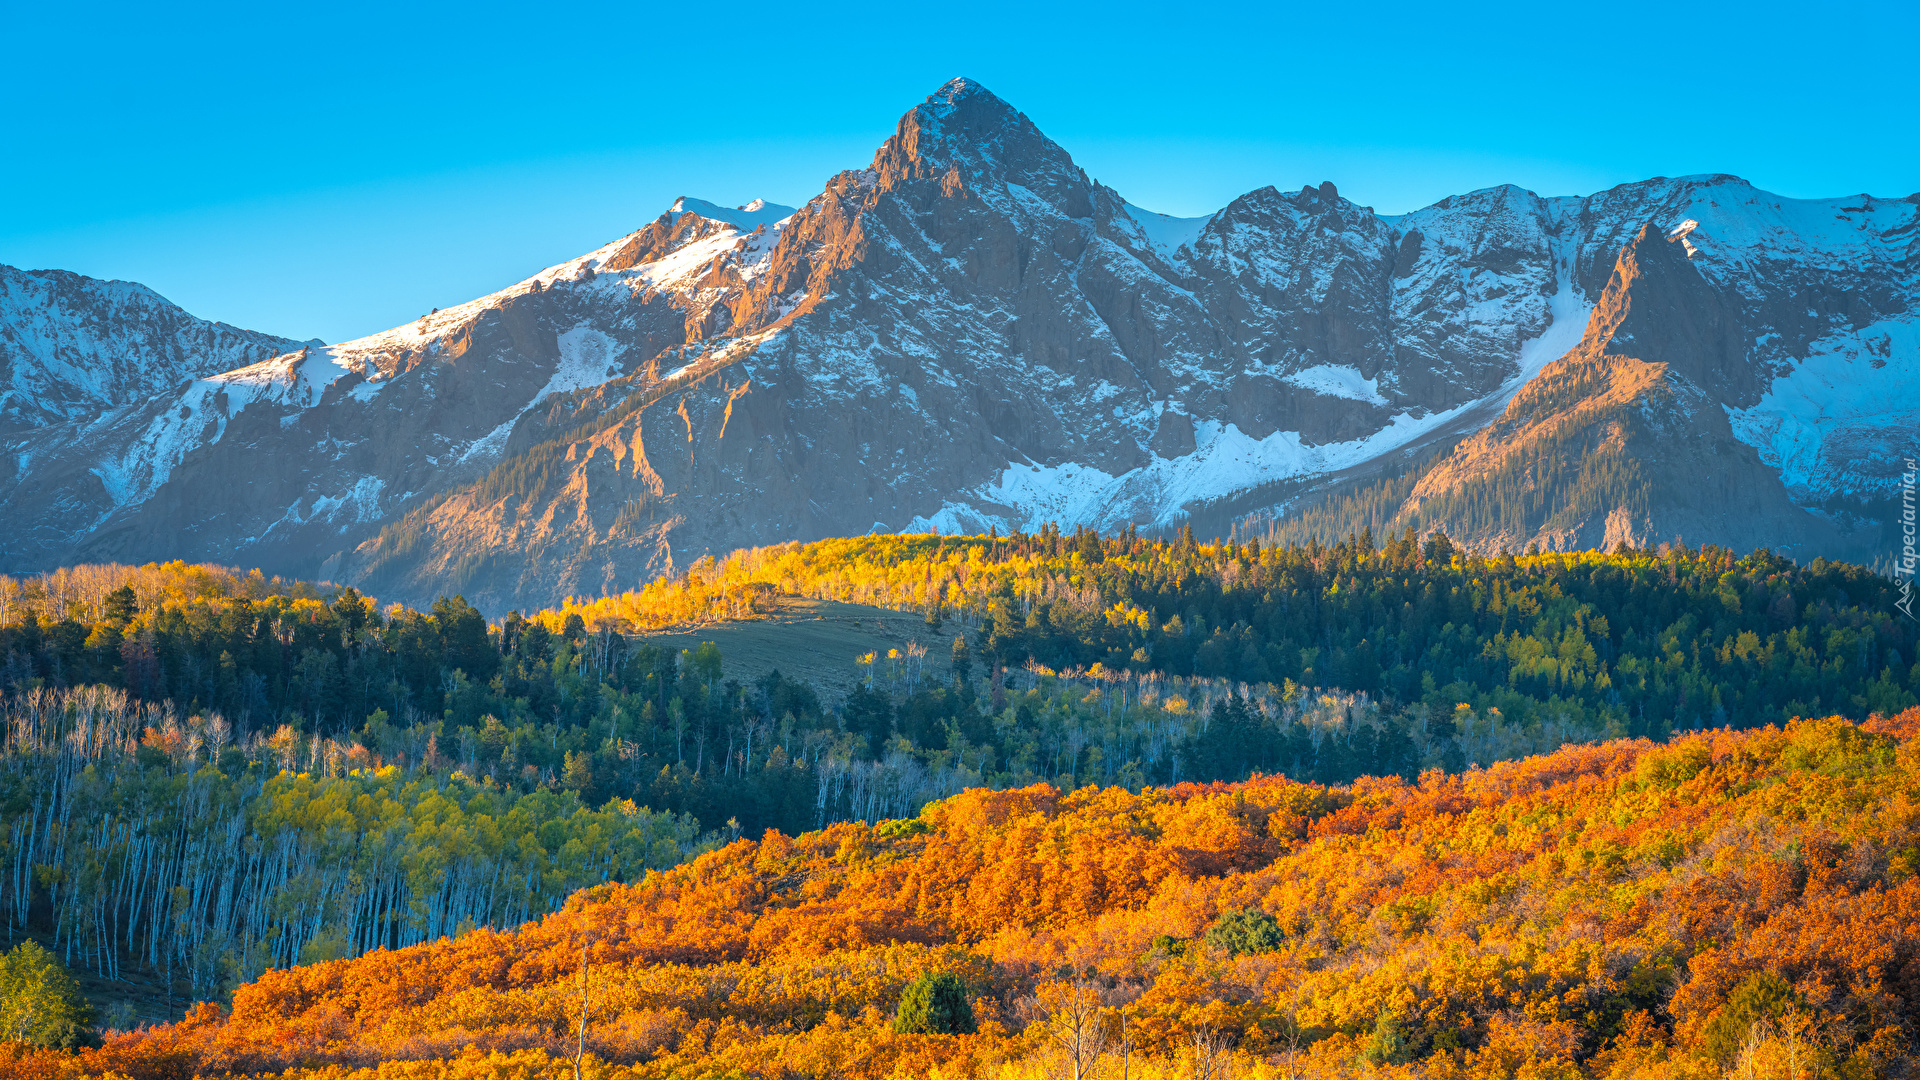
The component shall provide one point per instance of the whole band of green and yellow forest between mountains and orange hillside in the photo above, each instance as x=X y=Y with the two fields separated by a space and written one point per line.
x=391 y=777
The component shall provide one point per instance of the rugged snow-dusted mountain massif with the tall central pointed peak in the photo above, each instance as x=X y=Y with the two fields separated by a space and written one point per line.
x=972 y=333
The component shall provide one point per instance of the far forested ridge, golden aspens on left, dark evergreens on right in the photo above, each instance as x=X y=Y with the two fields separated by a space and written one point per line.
x=1625 y=643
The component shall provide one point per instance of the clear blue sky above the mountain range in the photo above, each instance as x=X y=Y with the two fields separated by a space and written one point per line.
x=343 y=168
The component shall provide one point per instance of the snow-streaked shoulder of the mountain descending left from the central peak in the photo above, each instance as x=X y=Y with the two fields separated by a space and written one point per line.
x=287 y=456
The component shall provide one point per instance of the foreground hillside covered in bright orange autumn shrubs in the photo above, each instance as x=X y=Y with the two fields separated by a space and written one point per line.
x=1729 y=904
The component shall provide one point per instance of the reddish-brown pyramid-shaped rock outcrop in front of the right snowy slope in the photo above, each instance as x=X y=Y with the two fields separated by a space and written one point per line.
x=1627 y=439
